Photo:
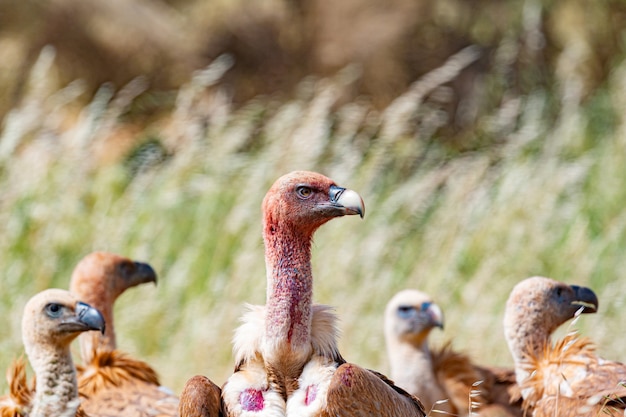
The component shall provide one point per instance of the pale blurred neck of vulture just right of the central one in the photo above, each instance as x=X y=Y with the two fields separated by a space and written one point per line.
x=412 y=369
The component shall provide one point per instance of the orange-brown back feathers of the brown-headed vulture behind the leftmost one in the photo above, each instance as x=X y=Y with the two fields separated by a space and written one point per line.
x=114 y=384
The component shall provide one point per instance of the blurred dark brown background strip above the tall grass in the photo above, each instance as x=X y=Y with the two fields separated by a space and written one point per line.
x=276 y=43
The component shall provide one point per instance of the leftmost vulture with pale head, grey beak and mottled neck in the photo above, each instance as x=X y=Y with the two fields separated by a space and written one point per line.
x=51 y=321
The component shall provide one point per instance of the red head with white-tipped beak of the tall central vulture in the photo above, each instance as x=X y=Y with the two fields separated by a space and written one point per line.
x=303 y=200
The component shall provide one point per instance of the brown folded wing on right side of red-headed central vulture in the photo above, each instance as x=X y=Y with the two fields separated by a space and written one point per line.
x=358 y=392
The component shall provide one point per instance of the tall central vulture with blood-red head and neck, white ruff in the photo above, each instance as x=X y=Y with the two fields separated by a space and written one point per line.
x=287 y=362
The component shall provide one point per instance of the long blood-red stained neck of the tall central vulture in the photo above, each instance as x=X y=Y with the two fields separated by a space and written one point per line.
x=289 y=297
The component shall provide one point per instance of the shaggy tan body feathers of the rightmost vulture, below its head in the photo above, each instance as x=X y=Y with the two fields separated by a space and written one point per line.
x=570 y=379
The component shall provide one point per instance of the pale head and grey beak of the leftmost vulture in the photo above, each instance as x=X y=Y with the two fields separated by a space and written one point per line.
x=53 y=318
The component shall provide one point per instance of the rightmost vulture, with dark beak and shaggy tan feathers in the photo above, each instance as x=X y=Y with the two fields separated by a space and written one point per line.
x=563 y=378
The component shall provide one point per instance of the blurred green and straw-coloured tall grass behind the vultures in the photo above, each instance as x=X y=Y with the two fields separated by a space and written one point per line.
x=465 y=228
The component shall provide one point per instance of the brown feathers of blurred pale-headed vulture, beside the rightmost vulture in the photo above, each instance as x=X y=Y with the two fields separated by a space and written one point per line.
x=472 y=389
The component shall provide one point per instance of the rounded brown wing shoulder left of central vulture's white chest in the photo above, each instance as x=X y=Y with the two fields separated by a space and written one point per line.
x=200 y=398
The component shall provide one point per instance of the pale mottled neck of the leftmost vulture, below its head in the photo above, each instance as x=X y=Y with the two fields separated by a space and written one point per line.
x=56 y=390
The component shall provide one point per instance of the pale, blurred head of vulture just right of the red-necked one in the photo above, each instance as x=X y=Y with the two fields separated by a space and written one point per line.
x=410 y=316
